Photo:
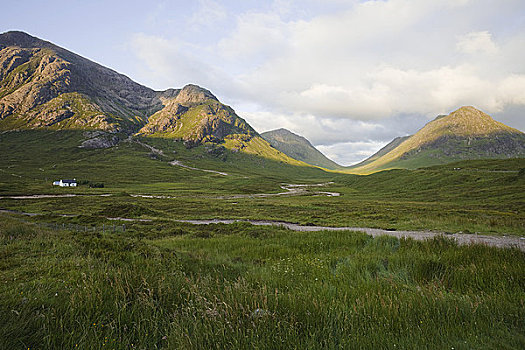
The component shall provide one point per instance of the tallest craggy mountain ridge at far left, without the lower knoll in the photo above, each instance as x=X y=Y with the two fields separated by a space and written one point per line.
x=35 y=72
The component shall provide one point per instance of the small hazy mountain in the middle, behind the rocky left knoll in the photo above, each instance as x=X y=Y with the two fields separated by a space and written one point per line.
x=298 y=148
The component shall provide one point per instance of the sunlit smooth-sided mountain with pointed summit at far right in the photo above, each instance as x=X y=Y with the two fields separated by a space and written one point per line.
x=466 y=133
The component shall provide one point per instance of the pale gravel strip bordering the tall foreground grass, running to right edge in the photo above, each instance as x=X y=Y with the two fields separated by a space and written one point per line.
x=460 y=238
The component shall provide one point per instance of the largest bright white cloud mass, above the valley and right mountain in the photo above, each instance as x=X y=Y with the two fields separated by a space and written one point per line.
x=353 y=64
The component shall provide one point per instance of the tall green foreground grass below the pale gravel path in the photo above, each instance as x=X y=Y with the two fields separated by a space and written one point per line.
x=166 y=285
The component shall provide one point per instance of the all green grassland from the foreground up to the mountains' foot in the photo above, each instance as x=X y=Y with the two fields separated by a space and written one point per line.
x=163 y=284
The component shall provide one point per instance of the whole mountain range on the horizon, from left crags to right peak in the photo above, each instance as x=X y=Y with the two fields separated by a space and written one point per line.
x=45 y=86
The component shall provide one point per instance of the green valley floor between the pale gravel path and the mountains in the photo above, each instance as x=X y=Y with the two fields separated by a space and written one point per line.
x=482 y=196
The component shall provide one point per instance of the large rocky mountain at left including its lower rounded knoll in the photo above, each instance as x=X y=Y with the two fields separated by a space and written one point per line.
x=45 y=86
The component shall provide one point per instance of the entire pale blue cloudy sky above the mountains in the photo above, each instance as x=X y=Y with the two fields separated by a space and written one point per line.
x=348 y=75
